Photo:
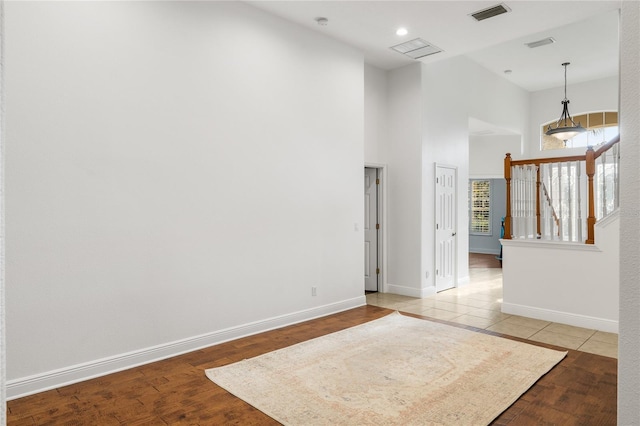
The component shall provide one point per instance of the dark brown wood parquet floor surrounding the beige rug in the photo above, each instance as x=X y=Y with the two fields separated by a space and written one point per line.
x=580 y=390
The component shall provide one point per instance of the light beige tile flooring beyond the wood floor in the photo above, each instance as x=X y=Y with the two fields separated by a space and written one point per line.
x=479 y=305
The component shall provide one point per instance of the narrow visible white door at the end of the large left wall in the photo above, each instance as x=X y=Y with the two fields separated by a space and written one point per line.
x=370 y=229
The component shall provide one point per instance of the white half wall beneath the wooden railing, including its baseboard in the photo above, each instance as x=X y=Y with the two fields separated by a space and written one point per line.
x=569 y=283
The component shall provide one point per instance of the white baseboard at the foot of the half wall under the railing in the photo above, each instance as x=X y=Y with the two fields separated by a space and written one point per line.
x=576 y=320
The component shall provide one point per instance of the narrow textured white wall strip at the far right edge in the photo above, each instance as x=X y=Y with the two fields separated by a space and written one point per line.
x=629 y=342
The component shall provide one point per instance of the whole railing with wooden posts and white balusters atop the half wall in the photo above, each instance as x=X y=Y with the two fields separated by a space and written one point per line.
x=561 y=198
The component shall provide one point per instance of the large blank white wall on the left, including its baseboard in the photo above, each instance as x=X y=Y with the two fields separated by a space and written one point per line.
x=177 y=173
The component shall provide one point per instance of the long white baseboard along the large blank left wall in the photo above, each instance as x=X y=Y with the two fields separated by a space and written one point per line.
x=24 y=386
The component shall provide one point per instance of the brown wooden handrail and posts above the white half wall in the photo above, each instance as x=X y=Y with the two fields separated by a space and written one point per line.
x=590 y=165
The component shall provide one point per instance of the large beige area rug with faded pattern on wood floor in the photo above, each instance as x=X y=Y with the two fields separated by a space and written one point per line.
x=396 y=370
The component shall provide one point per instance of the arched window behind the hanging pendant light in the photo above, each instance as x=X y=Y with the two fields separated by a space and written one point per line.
x=601 y=127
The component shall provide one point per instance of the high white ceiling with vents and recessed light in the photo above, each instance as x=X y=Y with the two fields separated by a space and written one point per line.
x=586 y=34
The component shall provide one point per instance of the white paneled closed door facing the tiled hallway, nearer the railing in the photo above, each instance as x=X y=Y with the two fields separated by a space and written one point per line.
x=445 y=227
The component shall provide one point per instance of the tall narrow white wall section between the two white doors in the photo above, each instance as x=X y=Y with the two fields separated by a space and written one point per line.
x=404 y=152
